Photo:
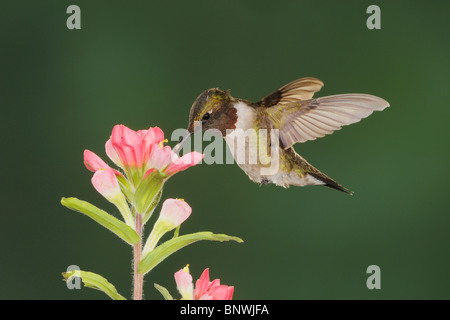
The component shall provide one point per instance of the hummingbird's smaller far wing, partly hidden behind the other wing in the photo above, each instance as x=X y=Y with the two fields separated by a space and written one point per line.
x=297 y=90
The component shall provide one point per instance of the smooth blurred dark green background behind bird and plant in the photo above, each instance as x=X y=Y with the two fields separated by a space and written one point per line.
x=142 y=63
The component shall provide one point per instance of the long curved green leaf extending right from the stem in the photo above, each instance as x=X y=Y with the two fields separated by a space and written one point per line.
x=154 y=257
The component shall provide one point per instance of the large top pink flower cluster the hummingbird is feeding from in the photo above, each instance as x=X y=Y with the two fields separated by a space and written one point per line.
x=147 y=164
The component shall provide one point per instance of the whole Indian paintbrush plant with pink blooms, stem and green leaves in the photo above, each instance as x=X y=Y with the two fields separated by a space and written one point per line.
x=145 y=164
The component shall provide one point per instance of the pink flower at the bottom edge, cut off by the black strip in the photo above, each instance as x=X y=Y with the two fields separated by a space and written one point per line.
x=204 y=289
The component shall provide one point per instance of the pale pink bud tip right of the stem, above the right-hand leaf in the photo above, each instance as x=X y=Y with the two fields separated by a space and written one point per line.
x=174 y=212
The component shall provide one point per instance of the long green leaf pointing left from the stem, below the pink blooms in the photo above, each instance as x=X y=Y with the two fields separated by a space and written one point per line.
x=118 y=227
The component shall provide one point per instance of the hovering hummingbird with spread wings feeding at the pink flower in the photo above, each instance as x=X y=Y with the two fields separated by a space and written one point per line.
x=297 y=116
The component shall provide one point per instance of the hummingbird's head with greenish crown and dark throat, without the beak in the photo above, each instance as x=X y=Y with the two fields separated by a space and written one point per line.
x=213 y=109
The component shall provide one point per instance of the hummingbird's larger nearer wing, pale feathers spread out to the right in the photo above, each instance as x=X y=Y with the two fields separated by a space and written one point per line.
x=311 y=119
